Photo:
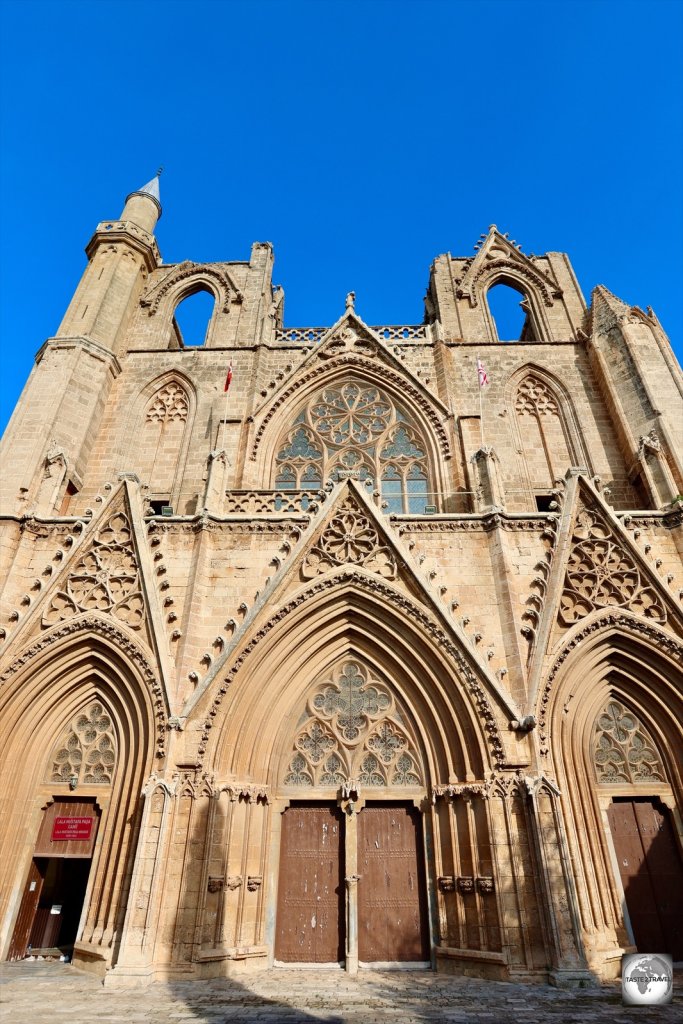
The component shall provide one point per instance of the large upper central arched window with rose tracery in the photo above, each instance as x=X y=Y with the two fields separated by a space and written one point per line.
x=354 y=431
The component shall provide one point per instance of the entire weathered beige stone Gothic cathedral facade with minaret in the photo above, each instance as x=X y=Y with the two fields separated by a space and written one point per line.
x=358 y=579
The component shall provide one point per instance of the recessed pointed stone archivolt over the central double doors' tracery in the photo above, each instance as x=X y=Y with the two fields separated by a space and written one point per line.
x=346 y=616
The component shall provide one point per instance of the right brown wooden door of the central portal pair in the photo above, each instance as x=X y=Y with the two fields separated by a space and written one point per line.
x=393 y=907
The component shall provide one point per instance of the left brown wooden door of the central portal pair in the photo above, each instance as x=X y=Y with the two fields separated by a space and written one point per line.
x=311 y=897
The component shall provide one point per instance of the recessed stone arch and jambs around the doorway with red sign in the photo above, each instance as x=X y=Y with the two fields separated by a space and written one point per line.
x=44 y=691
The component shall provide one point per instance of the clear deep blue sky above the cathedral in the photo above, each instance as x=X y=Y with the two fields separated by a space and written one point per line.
x=361 y=139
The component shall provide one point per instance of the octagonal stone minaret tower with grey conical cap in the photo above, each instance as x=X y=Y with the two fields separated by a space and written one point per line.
x=57 y=421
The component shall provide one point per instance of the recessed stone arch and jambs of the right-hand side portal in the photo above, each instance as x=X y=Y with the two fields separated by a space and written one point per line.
x=615 y=657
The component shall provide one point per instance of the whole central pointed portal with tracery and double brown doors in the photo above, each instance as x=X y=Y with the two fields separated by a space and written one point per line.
x=356 y=717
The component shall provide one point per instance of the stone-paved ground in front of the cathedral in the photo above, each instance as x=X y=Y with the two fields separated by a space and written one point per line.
x=50 y=993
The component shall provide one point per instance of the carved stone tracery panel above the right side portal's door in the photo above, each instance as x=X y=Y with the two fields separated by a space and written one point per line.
x=623 y=750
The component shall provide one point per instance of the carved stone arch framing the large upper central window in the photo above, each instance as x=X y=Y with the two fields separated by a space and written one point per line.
x=425 y=412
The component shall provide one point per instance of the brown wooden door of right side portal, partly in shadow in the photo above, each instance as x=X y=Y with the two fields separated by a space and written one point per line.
x=652 y=874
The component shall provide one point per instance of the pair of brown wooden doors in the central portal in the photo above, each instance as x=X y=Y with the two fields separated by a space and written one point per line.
x=378 y=914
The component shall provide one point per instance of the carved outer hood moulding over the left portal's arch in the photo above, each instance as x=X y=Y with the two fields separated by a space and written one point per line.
x=124 y=644
